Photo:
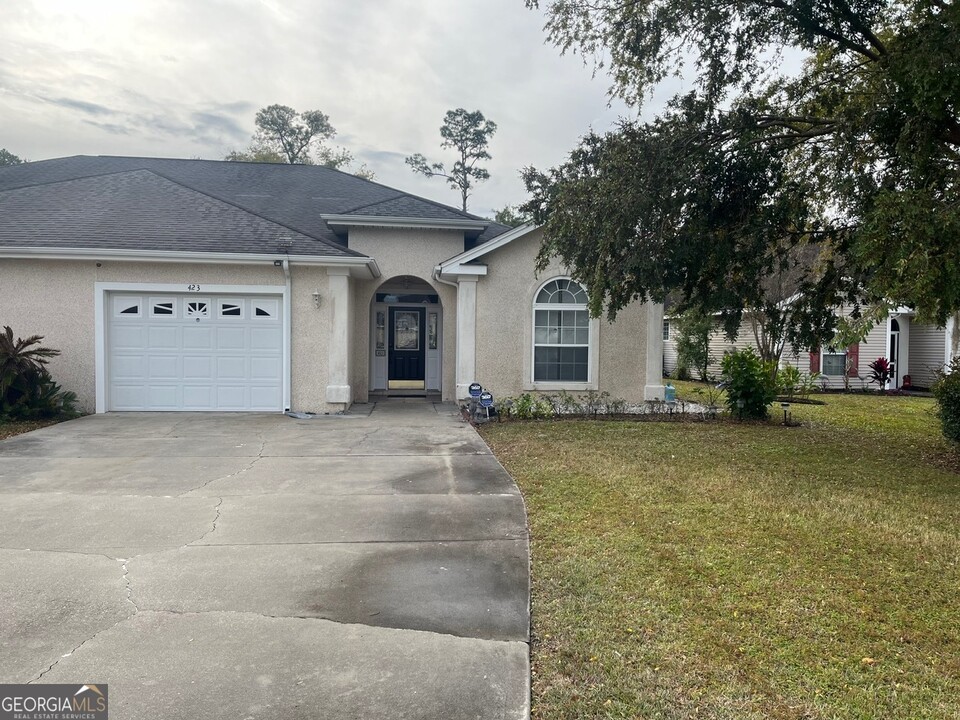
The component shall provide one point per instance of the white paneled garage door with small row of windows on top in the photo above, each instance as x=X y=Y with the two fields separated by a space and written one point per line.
x=186 y=352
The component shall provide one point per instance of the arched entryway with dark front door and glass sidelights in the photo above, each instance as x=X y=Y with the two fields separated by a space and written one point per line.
x=406 y=347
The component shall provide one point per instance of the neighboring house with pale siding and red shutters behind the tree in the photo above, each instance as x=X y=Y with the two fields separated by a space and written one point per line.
x=914 y=349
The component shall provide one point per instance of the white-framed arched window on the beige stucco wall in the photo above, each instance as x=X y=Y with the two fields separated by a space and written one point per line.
x=561 y=333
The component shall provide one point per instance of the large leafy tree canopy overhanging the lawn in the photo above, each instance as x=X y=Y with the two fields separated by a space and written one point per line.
x=841 y=173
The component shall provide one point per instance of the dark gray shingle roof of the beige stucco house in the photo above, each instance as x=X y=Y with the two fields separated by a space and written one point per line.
x=252 y=200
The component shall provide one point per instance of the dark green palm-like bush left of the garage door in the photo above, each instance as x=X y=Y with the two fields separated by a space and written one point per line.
x=27 y=390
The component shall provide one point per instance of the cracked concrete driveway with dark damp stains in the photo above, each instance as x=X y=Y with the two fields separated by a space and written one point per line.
x=372 y=565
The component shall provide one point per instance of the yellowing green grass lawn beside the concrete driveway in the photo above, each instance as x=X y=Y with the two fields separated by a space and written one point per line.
x=727 y=570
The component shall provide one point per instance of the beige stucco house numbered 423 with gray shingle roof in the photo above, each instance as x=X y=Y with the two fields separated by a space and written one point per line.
x=202 y=285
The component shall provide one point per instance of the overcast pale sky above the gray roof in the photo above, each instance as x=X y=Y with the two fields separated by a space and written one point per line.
x=184 y=78
